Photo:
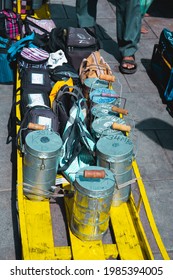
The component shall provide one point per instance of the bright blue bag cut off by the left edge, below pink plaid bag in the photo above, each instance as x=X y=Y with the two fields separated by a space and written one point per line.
x=6 y=73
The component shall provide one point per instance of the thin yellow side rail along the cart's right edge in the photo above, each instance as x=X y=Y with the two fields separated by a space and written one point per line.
x=149 y=213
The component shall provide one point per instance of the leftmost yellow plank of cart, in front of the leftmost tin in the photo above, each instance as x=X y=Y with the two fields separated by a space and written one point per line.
x=39 y=230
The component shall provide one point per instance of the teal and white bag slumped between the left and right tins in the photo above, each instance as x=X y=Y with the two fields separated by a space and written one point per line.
x=78 y=144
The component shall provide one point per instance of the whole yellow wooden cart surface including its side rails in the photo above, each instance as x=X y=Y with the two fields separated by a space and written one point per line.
x=132 y=225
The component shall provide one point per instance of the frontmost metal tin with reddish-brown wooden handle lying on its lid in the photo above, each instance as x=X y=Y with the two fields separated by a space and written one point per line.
x=92 y=202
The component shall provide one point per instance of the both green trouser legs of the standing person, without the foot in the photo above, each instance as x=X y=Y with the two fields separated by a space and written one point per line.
x=128 y=22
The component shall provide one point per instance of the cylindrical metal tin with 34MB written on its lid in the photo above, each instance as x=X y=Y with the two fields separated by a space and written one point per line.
x=116 y=153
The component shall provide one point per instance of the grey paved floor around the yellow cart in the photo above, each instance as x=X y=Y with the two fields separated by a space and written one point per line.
x=154 y=125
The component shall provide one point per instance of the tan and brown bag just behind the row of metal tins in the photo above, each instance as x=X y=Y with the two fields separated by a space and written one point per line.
x=93 y=67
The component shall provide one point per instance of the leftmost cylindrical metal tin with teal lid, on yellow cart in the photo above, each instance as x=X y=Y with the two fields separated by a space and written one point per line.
x=40 y=164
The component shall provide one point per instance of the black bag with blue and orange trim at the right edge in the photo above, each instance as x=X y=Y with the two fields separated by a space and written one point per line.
x=162 y=64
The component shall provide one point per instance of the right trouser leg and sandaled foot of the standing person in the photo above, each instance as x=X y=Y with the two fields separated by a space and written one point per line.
x=128 y=17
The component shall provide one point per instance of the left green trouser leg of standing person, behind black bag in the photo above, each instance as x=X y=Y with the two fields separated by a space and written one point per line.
x=86 y=11
